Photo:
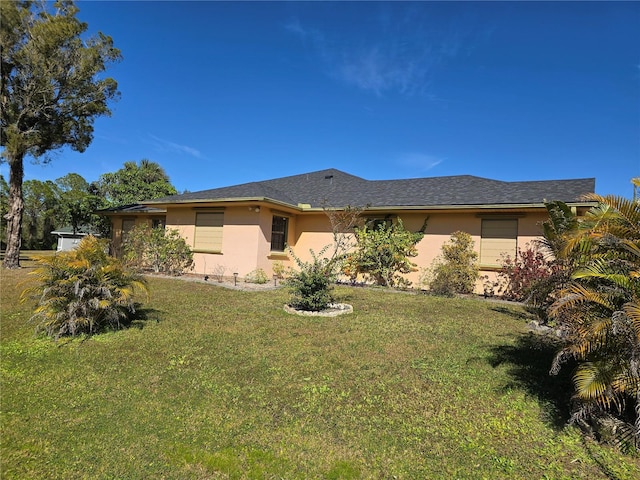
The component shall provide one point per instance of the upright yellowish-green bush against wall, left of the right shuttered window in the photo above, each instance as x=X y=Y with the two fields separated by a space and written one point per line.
x=456 y=270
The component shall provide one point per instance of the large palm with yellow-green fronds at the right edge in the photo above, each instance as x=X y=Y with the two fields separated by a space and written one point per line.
x=599 y=314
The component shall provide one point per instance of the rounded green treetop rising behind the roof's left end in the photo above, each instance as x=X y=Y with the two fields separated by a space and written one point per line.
x=134 y=183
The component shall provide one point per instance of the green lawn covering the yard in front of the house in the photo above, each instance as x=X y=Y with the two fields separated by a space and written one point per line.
x=217 y=383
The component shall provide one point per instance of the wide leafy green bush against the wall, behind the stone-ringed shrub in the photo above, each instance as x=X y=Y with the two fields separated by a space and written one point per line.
x=382 y=253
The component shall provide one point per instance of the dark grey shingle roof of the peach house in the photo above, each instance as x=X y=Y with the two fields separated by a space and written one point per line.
x=335 y=188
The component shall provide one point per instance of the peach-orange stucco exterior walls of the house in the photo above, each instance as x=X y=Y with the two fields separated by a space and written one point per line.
x=247 y=234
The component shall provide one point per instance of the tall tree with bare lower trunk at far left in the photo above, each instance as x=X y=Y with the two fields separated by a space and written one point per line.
x=50 y=91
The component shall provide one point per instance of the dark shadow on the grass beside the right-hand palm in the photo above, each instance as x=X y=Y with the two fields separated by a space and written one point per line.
x=529 y=361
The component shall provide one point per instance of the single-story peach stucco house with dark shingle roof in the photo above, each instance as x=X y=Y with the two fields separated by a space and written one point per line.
x=240 y=228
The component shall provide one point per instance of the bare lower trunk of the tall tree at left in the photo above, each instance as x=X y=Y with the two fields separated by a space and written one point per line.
x=14 y=217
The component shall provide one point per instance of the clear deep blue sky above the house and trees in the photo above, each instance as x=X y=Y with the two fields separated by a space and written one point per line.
x=221 y=93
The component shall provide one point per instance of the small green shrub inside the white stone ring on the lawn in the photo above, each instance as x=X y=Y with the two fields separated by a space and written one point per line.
x=311 y=287
